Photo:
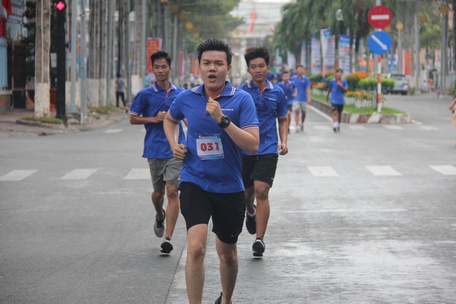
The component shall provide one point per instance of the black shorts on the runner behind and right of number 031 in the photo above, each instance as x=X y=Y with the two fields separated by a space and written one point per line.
x=259 y=167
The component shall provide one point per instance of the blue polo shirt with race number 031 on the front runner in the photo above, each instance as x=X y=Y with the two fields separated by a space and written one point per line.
x=213 y=161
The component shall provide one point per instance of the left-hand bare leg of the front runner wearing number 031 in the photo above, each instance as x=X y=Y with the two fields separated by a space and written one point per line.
x=194 y=266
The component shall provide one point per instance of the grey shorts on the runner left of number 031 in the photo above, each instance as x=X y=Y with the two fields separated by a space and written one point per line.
x=164 y=170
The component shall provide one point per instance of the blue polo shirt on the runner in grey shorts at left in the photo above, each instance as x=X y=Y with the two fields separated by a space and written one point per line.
x=147 y=103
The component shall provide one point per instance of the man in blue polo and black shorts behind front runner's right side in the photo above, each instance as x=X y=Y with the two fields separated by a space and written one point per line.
x=258 y=170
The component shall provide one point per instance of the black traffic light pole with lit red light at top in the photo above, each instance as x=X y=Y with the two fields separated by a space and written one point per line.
x=60 y=43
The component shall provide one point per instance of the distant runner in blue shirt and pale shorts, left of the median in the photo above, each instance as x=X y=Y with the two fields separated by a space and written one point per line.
x=302 y=83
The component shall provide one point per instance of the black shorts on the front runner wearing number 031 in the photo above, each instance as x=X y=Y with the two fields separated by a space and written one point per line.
x=227 y=210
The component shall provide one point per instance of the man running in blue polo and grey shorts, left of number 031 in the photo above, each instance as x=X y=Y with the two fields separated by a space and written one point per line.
x=149 y=108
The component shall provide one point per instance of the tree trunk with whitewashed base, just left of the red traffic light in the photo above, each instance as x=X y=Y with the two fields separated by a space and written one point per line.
x=43 y=42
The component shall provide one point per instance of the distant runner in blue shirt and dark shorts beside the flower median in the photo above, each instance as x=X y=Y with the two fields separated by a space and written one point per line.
x=337 y=88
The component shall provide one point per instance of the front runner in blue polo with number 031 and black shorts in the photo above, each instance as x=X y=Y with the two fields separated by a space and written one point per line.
x=222 y=122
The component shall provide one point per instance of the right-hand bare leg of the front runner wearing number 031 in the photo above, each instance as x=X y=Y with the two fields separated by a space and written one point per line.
x=228 y=268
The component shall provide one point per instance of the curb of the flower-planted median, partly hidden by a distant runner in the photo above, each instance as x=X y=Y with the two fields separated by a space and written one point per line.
x=365 y=118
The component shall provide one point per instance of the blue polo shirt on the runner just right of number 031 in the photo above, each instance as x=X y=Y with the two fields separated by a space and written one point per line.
x=270 y=105
